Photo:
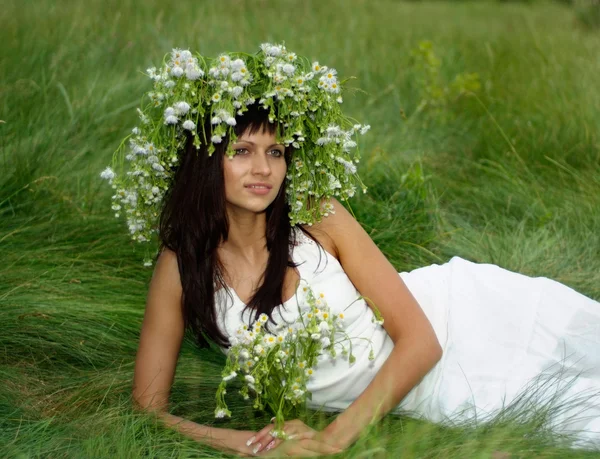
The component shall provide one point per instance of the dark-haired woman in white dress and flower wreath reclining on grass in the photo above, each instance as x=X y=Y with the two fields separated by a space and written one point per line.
x=459 y=341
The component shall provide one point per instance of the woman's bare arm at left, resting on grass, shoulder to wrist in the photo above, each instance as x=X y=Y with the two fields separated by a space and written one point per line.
x=158 y=351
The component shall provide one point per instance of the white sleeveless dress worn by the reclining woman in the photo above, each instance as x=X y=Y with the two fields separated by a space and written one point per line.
x=503 y=335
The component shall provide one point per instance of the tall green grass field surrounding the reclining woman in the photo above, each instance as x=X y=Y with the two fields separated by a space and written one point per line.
x=508 y=174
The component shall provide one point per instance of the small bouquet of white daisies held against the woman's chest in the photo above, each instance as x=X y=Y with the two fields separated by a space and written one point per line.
x=276 y=368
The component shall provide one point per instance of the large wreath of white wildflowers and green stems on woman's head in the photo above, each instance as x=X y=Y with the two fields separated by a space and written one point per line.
x=303 y=97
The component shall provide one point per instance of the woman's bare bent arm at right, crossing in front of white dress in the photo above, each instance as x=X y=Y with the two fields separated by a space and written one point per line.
x=416 y=348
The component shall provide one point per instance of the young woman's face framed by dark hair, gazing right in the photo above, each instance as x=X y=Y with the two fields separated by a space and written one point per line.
x=255 y=174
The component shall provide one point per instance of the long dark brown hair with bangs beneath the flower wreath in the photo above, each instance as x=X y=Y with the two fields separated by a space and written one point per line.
x=193 y=222
